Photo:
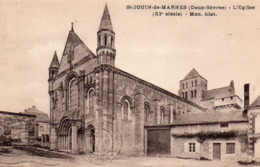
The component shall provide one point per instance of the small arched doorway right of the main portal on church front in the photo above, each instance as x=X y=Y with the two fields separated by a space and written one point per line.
x=90 y=139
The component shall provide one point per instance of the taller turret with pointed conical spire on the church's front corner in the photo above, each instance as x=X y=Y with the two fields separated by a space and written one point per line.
x=106 y=40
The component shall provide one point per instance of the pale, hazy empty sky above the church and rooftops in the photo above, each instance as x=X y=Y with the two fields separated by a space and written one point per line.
x=161 y=50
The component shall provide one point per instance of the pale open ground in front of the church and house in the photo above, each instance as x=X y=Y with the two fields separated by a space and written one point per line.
x=23 y=159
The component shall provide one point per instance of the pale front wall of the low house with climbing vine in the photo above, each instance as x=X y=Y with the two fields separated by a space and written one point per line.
x=180 y=145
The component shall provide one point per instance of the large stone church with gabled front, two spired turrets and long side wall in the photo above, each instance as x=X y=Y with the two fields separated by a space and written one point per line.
x=89 y=96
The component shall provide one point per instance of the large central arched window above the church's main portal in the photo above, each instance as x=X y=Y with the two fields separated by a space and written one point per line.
x=73 y=94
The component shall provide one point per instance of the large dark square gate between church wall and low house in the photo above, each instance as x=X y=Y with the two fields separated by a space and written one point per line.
x=158 y=142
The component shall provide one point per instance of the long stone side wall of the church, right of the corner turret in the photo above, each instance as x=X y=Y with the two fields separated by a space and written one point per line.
x=139 y=93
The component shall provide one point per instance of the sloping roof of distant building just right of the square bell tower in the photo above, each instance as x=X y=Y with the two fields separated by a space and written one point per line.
x=220 y=92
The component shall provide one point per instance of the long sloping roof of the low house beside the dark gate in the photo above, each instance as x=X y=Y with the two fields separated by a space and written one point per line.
x=210 y=117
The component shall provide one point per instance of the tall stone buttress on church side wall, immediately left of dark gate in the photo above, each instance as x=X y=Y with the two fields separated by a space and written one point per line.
x=139 y=124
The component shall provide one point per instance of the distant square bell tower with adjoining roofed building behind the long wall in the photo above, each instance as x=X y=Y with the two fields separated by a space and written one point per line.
x=195 y=88
